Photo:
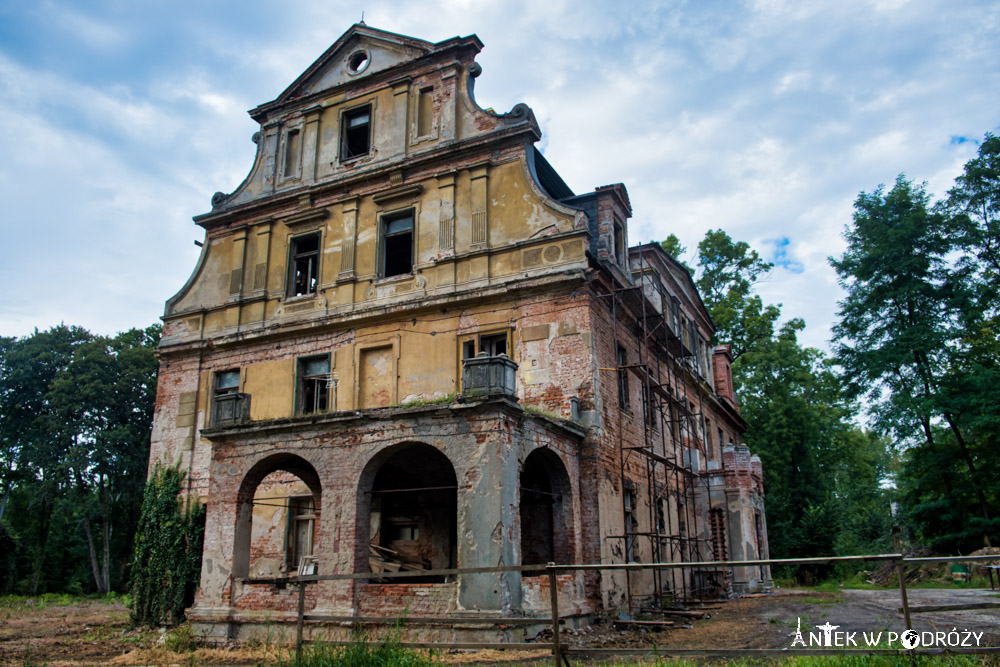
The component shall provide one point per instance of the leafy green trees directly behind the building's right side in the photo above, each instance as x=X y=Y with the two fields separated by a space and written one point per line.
x=823 y=475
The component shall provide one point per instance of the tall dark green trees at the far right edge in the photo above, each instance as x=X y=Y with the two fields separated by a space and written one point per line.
x=917 y=341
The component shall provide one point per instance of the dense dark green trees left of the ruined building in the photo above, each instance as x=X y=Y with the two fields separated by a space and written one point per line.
x=75 y=416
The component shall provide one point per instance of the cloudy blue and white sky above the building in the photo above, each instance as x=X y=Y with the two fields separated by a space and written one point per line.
x=765 y=119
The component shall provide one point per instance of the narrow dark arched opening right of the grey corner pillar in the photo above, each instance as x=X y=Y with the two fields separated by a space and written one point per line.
x=545 y=510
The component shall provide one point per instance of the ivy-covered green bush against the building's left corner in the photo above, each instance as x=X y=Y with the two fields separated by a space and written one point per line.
x=168 y=545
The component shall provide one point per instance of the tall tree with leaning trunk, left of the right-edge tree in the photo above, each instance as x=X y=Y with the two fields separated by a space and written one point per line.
x=901 y=323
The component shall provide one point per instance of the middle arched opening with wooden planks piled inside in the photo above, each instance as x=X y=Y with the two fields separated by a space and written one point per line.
x=413 y=515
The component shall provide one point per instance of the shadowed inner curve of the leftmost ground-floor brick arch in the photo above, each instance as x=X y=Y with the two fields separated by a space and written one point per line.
x=282 y=461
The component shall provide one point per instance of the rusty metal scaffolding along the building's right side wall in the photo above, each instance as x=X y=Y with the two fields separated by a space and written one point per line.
x=673 y=425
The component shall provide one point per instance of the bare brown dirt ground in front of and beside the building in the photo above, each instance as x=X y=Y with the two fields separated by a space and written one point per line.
x=95 y=633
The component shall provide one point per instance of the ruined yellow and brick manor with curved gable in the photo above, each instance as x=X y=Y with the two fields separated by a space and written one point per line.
x=407 y=344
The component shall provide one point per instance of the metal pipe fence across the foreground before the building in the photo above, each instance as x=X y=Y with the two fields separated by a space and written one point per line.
x=560 y=652
